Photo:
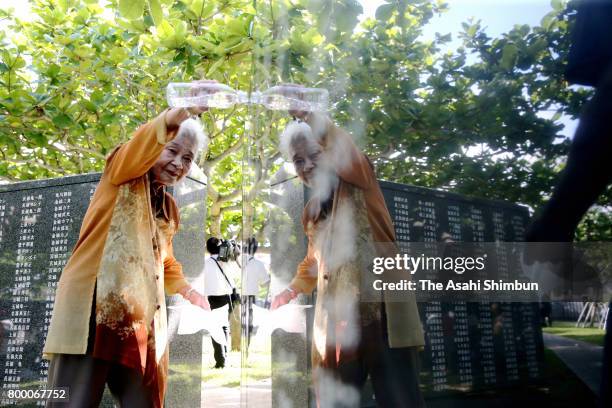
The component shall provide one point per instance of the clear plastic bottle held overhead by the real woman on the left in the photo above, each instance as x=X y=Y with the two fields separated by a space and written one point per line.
x=201 y=94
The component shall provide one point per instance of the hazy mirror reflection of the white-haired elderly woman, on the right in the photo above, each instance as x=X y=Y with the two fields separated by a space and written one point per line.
x=347 y=224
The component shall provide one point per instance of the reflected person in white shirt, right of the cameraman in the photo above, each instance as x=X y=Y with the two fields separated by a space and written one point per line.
x=256 y=275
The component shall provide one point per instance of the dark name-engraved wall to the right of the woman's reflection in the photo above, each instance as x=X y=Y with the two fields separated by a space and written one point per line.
x=470 y=345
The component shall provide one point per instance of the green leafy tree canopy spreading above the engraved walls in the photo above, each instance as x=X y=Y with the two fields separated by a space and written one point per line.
x=484 y=119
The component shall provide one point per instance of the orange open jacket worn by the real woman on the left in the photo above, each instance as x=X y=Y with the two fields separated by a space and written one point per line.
x=118 y=236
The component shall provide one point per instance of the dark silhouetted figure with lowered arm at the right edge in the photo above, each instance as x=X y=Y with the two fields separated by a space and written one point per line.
x=588 y=170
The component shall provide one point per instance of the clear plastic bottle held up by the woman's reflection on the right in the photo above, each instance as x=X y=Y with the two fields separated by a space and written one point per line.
x=284 y=97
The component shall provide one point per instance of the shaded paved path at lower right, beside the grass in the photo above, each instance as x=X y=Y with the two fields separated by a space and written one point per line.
x=584 y=359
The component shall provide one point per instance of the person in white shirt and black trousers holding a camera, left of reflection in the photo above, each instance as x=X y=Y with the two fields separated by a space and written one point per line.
x=218 y=289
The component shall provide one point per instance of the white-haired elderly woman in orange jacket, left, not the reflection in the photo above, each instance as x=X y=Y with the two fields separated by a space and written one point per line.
x=109 y=319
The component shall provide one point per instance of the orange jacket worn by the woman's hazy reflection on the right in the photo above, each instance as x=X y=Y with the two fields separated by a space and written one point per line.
x=357 y=181
